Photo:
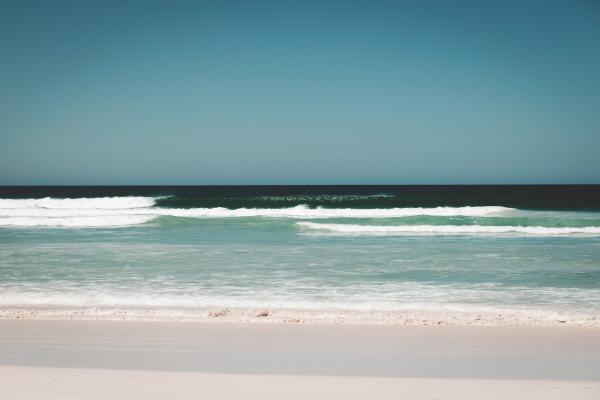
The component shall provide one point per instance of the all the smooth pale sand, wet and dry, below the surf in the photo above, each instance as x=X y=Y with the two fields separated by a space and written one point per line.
x=103 y=359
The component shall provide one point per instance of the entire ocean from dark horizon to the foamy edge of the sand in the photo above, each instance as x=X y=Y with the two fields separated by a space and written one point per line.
x=349 y=254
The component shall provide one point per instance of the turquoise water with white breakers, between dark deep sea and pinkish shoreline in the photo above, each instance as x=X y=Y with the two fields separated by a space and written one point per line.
x=135 y=253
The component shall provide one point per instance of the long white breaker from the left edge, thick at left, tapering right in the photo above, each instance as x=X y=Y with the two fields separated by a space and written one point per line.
x=126 y=211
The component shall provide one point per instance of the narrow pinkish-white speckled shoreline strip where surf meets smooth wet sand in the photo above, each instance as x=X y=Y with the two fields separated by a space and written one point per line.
x=314 y=317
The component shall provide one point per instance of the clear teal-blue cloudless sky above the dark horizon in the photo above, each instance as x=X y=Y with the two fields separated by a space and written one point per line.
x=325 y=92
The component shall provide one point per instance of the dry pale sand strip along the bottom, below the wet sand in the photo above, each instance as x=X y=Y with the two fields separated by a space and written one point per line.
x=58 y=383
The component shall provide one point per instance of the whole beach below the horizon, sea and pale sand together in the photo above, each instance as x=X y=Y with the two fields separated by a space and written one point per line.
x=300 y=292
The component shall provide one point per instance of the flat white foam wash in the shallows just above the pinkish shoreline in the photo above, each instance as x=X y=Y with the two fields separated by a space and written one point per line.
x=391 y=297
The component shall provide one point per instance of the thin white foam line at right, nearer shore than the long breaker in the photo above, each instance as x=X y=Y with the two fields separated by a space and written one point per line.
x=385 y=230
